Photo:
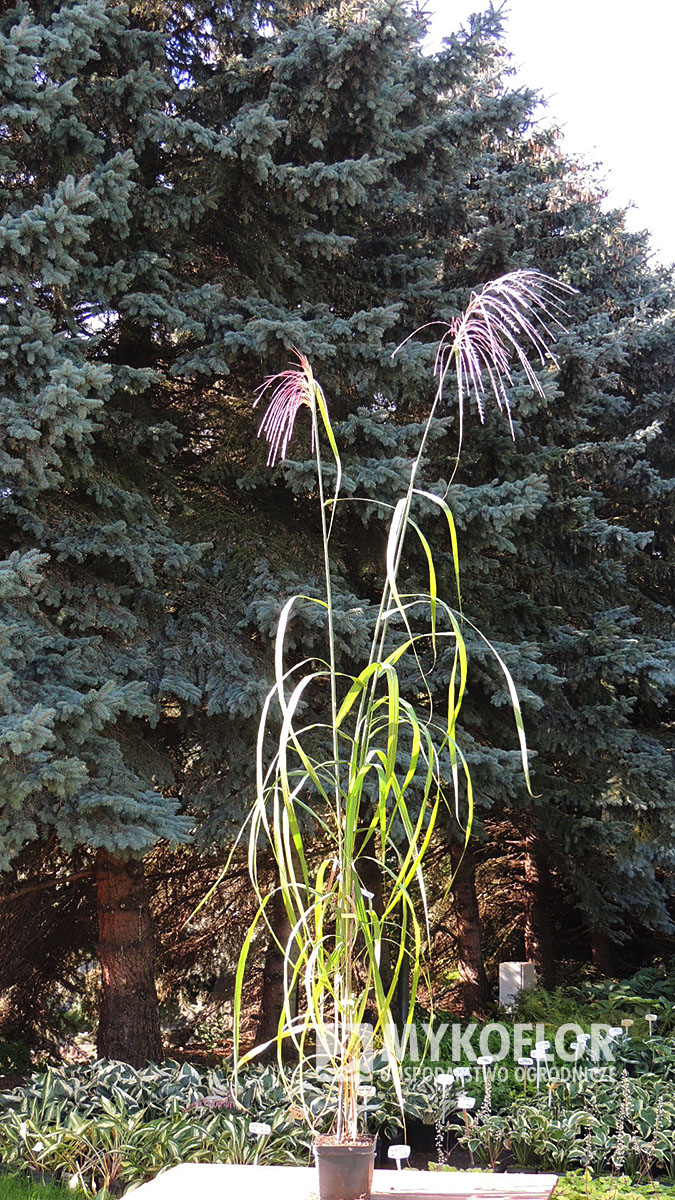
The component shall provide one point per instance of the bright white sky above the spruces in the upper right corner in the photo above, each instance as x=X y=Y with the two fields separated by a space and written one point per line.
x=607 y=71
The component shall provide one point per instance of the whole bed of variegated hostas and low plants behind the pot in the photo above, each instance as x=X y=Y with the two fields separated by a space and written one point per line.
x=111 y=1126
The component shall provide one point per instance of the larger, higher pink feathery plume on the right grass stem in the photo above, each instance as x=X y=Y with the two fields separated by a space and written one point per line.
x=505 y=321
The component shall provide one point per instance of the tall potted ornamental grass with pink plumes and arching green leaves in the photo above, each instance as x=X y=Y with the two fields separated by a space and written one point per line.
x=361 y=790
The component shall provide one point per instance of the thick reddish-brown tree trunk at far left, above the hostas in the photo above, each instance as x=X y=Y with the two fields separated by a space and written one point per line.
x=129 y=1019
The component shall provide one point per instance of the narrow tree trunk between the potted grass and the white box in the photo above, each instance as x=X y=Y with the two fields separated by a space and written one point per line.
x=470 y=955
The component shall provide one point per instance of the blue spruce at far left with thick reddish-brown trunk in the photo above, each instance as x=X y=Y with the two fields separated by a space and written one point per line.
x=93 y=311
